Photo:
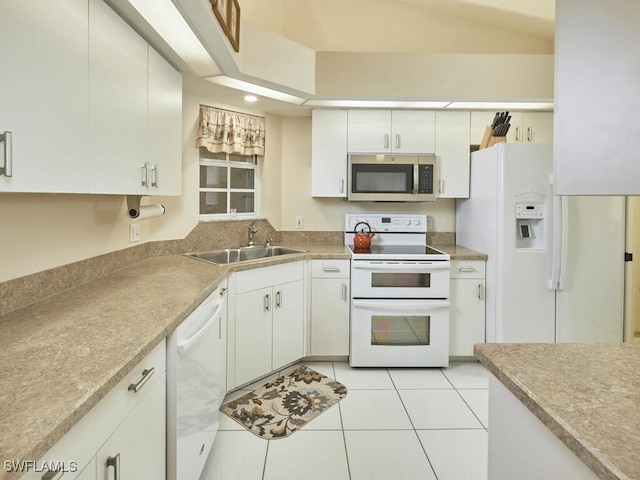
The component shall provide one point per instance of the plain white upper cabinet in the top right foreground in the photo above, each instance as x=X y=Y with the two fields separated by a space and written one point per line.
x=597 y=74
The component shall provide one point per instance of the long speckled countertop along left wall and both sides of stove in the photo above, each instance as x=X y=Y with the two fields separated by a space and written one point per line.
x=61 y=355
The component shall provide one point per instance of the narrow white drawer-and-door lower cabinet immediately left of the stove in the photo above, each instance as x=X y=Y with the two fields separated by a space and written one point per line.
x=330 y=295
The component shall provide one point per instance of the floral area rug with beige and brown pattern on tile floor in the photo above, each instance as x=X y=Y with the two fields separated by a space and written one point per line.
x=279 y=408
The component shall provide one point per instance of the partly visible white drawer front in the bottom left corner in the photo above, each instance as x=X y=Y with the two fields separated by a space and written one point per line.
x=71 y=453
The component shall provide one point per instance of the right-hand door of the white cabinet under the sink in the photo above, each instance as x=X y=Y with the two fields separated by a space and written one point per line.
x=288 y=323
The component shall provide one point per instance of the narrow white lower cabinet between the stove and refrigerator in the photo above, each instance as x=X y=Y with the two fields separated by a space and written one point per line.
x=467 y=310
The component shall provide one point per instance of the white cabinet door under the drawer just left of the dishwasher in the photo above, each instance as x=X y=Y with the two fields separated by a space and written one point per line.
x=138 y=444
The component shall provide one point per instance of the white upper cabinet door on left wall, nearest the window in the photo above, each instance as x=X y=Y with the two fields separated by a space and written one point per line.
x=165 y=126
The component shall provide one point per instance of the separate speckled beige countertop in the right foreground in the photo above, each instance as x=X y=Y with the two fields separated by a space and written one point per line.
x=588 y=395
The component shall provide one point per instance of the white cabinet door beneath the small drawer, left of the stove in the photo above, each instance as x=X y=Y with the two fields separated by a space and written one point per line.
x=330 y=316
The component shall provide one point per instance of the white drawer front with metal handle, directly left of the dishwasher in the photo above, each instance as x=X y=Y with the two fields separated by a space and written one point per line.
x=112 y=409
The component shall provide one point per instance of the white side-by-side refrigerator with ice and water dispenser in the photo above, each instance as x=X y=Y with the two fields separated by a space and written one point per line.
x=555 y=268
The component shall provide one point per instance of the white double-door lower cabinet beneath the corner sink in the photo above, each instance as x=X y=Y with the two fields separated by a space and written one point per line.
x=266 y=314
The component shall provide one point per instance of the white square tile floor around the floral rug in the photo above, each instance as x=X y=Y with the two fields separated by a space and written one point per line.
x=403 y=424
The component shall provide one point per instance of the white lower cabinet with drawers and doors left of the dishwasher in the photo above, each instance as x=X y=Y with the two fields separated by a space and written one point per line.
x=123 y=436
